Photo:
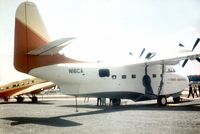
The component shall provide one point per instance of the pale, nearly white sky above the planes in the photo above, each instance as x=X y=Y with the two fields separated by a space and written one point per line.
x=119 y=26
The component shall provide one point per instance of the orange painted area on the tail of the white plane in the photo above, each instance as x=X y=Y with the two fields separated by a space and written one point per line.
x=27 y=40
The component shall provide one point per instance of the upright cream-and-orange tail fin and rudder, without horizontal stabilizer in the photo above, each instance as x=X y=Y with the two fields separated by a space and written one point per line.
x=30 y=33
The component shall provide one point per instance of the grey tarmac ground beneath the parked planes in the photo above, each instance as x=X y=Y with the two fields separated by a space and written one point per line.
x=58 y=115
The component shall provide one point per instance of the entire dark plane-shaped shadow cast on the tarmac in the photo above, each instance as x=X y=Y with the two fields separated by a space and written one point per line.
x=59 y=122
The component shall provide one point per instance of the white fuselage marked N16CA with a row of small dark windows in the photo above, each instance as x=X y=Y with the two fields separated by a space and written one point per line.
x=100 y=80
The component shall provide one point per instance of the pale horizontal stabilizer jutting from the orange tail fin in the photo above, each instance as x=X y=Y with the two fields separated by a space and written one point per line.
x=52 y=48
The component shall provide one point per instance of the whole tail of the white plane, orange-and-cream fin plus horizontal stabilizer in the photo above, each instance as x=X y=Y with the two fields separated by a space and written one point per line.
x=32 y=46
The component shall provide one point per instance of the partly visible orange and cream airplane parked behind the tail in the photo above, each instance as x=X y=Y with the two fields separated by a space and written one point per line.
x=29 y=87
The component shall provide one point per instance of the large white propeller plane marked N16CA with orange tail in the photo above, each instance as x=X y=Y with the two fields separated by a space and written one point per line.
x=36 y=55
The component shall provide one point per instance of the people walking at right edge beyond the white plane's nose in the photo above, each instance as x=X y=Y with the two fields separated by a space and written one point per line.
x=193 y=89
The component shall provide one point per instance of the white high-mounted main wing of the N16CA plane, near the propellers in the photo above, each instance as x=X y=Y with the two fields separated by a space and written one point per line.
x=174 y=60
